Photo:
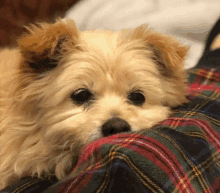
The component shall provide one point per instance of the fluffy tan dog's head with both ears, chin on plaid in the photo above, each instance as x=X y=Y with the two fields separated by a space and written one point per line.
x=77 y=86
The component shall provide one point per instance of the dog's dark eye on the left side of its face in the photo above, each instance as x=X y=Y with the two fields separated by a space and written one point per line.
x=81 y=96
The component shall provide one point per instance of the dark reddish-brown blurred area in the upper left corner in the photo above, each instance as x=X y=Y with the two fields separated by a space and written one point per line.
x=14 y=14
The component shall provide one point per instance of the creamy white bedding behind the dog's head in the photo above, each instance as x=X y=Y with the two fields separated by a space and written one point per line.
x=188 y=20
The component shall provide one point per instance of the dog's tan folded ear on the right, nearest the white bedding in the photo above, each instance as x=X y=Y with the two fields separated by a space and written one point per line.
x=168 y=53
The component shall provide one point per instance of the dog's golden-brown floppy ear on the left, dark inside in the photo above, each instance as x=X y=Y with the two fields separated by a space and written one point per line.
x=45 y=44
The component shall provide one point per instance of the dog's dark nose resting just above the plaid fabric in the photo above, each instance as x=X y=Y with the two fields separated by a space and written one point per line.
x=115 y=125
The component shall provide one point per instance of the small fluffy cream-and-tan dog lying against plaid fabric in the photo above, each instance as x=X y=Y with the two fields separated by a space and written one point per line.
x=68 y=88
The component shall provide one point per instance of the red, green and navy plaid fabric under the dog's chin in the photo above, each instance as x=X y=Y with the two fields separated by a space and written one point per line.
x=180 y=154
